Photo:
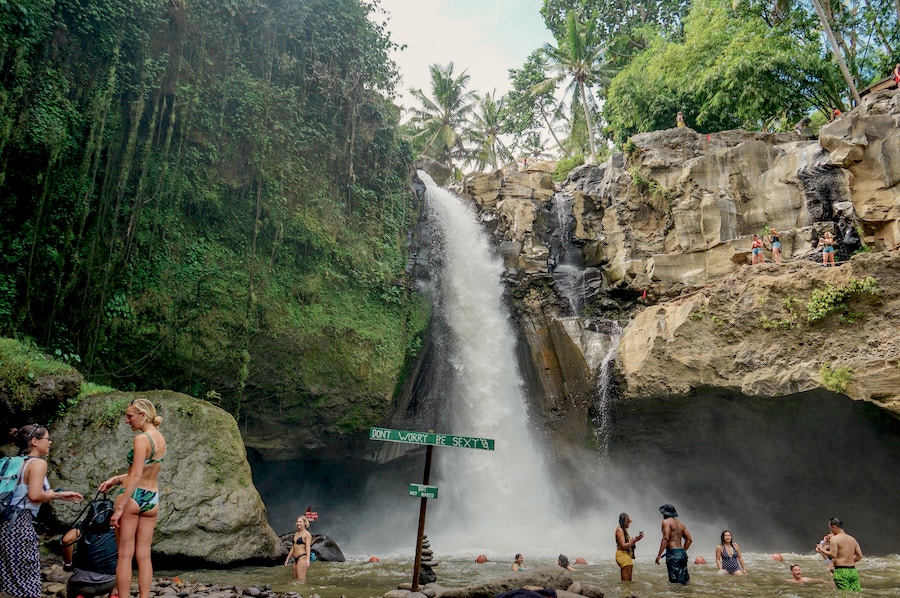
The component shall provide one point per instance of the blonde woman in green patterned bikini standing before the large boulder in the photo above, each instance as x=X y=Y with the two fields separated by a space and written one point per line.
x=137 y=505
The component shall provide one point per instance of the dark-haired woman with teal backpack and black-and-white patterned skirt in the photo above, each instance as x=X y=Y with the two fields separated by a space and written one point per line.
x=20 y=561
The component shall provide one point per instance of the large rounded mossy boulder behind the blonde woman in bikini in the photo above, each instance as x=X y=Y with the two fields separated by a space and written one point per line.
x=209 y=508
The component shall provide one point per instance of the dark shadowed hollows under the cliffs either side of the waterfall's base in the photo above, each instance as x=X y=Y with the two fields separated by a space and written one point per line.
x=771 y=469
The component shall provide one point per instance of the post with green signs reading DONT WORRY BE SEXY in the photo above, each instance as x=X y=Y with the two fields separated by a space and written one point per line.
x=423 y=490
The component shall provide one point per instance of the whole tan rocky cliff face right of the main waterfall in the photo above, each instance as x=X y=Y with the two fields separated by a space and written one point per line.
x=661 y=235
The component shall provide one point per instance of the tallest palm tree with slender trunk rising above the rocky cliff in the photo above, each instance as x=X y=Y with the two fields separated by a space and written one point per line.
x=582 y=63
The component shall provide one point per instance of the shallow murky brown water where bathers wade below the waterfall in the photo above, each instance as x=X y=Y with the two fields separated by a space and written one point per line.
x=356 y=578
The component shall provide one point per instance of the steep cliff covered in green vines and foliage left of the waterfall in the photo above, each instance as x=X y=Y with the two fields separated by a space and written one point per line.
x=206 y=196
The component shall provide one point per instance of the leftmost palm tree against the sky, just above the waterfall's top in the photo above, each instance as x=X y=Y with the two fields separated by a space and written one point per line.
x=441 y=120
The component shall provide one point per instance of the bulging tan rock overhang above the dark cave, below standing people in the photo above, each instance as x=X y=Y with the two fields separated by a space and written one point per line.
x=749 y=332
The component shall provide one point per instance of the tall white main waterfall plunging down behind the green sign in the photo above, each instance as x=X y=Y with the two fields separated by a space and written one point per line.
x=484 y=495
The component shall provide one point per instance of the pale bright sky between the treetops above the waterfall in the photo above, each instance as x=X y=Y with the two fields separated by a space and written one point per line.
x=483 y=37
